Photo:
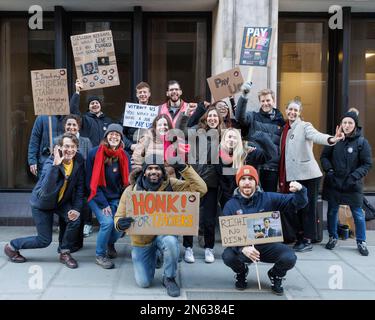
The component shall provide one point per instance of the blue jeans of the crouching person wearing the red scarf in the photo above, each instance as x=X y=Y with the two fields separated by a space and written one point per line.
x=107 y=232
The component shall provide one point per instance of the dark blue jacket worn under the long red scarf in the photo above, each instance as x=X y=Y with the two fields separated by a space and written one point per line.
x=114 y=188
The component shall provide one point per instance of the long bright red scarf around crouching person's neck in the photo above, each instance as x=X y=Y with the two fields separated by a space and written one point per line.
x=98 y=172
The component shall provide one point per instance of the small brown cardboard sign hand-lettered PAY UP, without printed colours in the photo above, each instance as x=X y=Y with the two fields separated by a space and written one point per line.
x=225 y=84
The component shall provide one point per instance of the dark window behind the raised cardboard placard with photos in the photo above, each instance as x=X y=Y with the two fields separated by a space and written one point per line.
x=114 y=98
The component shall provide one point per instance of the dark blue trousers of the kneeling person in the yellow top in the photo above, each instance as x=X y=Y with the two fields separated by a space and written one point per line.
x=43 y=220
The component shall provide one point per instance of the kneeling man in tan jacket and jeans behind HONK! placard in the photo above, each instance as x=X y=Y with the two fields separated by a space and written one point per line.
x=153 y=177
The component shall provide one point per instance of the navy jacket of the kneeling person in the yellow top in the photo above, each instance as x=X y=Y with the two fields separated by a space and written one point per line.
x=45 y=194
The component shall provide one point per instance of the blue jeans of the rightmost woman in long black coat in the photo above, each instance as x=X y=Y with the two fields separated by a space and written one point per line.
x=359 y=221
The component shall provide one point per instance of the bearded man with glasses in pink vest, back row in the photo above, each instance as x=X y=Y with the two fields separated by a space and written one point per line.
x=175 y=107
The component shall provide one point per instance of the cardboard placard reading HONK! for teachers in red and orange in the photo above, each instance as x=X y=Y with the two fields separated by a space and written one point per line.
x=156 y=213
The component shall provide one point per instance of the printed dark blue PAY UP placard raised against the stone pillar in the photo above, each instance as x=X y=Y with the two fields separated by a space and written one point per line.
x=255 y=46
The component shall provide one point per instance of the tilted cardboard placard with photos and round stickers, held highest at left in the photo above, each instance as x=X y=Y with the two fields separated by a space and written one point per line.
x=95 y=60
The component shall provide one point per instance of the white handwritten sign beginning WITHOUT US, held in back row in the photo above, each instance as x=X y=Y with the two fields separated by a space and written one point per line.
x=139 y=115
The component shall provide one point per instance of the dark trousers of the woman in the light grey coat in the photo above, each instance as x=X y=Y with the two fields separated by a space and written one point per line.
x=306 y=217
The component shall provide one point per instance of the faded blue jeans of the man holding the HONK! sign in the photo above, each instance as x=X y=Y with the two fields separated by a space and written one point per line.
x=144 y=259
